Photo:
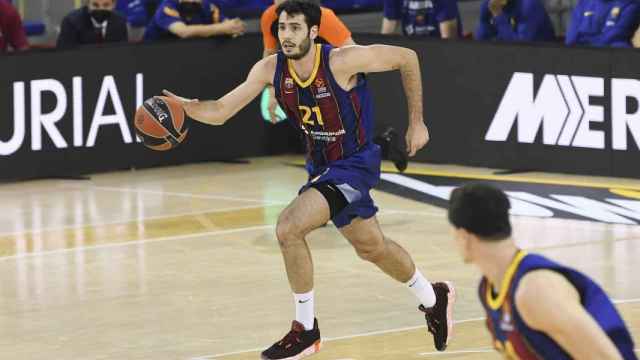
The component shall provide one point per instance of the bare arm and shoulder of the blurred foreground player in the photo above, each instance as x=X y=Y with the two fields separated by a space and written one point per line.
x=548 y=302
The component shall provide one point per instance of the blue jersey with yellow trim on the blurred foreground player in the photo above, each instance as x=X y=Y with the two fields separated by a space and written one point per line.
x=516 y=340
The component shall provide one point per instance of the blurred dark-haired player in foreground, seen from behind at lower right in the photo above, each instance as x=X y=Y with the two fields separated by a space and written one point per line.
x=536 y=308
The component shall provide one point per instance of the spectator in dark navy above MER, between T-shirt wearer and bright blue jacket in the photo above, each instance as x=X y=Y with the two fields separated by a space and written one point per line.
x=514 y=20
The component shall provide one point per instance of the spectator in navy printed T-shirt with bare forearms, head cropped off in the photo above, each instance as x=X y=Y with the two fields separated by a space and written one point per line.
x=435 y=18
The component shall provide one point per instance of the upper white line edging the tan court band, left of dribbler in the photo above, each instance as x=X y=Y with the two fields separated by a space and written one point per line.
x=138 y=219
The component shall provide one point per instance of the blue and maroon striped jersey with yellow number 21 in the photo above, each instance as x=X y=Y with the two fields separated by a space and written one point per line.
x=335 y=123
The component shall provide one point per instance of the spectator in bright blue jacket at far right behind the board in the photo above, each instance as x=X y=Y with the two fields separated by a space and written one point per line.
x=603 y=23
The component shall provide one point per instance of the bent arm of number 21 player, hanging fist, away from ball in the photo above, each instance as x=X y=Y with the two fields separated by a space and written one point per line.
x=348 y=61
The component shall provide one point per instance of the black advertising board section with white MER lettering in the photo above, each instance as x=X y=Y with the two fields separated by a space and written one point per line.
x=549 y=108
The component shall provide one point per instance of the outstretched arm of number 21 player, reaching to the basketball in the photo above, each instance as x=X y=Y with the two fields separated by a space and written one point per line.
x=217 y=112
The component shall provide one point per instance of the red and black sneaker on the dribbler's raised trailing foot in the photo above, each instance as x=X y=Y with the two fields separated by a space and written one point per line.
x=440 y=316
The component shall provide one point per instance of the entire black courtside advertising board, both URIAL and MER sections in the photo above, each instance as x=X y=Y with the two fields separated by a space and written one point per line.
x=522 y=107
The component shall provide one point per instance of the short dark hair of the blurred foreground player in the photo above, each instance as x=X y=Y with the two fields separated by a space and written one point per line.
x=482 y=210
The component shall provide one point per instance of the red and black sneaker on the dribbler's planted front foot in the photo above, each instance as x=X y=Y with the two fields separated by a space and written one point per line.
x=297 y=344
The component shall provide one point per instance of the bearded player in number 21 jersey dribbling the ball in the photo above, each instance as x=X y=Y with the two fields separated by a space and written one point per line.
x=325 y=95
